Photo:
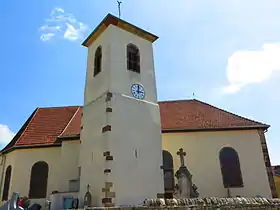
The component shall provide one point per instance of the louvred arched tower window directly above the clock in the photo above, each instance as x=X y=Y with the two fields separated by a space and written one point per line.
x=133 y=58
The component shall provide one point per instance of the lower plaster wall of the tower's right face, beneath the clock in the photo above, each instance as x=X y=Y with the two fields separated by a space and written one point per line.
x=135 y=129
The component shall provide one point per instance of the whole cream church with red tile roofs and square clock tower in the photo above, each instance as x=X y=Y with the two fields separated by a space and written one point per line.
x=122 y=145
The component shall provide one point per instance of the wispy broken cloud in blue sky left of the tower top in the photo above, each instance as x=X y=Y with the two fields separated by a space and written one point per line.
x=64 y=25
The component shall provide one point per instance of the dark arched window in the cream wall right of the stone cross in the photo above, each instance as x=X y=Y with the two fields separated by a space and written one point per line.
x=230 y=168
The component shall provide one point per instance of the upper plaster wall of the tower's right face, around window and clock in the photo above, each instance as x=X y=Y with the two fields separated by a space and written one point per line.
x=121 y=79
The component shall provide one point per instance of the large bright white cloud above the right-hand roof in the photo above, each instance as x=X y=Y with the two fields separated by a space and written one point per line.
x=252 y=67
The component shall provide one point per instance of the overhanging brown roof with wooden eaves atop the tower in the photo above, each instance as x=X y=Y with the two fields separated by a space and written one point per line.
x=113 y=20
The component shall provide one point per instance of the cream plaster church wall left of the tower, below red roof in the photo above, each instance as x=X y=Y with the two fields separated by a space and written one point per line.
x=62 y=168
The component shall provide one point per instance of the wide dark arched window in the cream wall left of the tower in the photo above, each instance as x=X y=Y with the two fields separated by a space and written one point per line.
x=39 y=180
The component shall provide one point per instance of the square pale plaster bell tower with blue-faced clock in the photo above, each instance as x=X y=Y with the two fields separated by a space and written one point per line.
x=121 y=146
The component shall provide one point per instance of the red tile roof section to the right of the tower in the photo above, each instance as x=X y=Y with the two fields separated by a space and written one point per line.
x=197 y=115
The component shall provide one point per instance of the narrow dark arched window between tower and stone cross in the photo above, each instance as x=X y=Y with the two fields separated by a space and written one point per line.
x=168 y=171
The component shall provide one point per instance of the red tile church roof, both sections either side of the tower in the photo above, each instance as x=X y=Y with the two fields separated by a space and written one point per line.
x=46 y=124
